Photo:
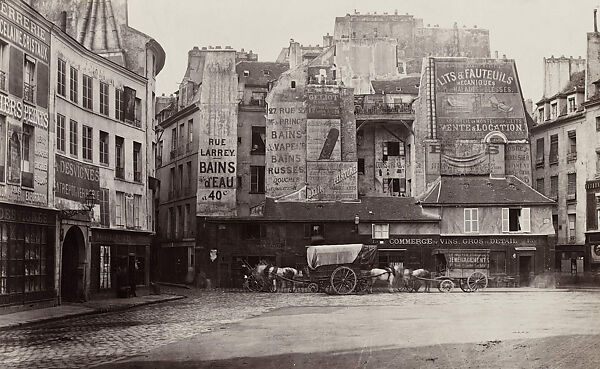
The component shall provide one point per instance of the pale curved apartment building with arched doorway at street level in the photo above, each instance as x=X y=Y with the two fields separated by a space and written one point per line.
x=102 y=78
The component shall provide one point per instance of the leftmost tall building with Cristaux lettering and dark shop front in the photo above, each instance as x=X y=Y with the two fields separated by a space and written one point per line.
x=28 y=229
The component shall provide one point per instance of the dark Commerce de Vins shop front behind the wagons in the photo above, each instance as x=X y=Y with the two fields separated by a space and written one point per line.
x=518 y=256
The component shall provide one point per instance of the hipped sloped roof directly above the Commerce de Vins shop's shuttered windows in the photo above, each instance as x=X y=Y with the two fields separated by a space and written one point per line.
x=472 y=190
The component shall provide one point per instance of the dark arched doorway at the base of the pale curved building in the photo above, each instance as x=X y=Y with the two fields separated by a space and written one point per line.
x=73 y=253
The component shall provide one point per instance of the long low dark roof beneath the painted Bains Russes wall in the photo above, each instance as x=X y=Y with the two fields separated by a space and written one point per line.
x=367 y=208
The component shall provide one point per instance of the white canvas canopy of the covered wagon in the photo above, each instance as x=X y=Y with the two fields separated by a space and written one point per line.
x=357 y=253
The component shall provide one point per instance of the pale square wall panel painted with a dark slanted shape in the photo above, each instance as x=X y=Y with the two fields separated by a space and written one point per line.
x=323 y=139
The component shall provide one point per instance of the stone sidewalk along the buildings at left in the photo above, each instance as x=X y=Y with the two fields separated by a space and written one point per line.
x=69 y=310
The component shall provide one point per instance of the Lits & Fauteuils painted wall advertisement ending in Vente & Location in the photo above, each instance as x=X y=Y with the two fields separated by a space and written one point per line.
x=476 y=97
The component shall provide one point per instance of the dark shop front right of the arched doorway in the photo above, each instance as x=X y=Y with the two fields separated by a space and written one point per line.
x=116 y=253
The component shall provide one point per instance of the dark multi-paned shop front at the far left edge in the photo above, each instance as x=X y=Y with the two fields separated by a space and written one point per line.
x=27 y=255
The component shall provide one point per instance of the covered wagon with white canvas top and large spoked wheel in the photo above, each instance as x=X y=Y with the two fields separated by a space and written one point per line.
x=340 y=269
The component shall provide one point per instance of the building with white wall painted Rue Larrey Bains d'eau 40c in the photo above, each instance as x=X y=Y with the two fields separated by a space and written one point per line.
x=196 y=169
